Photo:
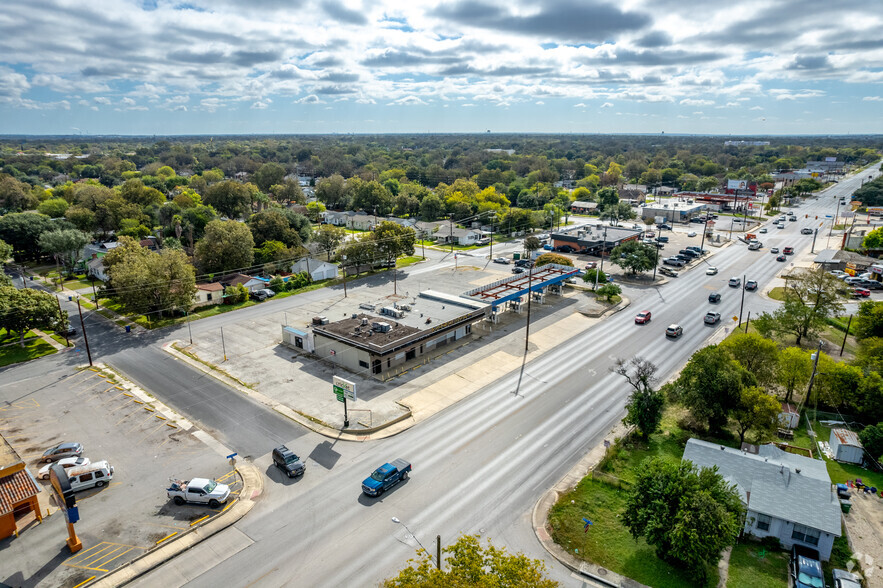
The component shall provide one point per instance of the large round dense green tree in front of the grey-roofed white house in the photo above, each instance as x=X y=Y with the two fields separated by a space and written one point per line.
x=689 y=515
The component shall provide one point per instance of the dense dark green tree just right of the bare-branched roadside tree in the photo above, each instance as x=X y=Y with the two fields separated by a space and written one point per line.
x=710 y=385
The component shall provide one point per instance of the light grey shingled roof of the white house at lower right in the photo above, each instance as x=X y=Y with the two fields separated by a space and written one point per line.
x=775 y=483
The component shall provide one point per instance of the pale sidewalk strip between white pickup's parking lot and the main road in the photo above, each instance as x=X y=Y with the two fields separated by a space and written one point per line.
x=252 y=487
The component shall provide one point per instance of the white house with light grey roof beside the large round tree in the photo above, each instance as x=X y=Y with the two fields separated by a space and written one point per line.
x=787 y=496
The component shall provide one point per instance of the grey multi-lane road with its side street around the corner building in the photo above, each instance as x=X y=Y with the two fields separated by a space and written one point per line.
x=479 y=467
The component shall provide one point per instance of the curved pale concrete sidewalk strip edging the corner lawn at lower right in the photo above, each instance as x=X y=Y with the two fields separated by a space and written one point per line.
x=540 y=517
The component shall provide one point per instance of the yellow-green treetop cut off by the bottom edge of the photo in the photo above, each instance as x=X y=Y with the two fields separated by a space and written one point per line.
x=468 y=564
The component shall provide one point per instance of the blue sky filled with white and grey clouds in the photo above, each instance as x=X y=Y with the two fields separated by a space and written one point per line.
x=391 y=66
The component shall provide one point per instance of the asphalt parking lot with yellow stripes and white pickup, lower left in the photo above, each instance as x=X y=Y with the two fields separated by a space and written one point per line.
x=124 y=519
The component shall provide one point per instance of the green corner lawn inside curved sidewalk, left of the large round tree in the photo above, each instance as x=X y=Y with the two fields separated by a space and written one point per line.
x=608 y=543
